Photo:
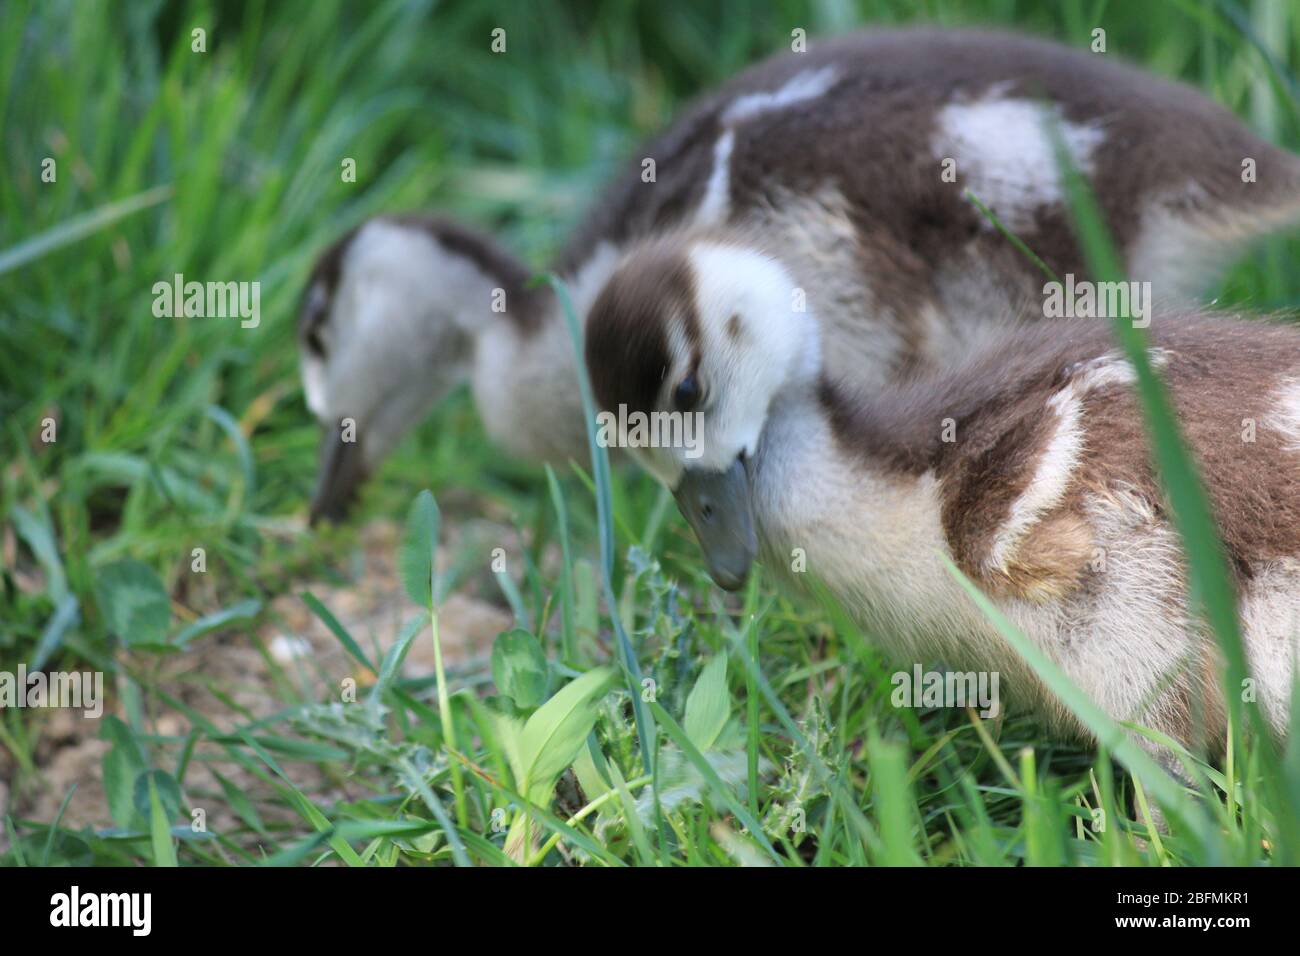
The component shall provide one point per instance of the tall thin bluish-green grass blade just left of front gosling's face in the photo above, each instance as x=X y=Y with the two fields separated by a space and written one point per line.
x=605 y=517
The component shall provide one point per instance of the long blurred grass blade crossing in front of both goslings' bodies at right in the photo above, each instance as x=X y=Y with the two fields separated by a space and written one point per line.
x=1210 y=581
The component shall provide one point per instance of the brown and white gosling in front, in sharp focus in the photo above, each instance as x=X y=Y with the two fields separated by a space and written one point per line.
x=1026 y=465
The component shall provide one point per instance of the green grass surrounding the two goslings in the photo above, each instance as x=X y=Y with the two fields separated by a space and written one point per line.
x=187 y=434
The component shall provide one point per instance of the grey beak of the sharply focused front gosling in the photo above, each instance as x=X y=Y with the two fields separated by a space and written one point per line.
x=718 y=508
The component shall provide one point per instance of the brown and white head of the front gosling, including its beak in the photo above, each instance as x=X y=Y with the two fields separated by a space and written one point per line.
x=701 y=338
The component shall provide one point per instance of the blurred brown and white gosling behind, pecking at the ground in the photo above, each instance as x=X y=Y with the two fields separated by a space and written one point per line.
x=855 y=161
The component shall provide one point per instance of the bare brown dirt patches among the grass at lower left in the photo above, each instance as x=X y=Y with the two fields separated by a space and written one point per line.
x=231 y=680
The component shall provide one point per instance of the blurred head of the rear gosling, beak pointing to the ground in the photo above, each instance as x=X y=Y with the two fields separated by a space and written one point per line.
x=385 y=330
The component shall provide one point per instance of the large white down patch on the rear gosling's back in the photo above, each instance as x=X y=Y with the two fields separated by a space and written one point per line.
x=1004 y=153
